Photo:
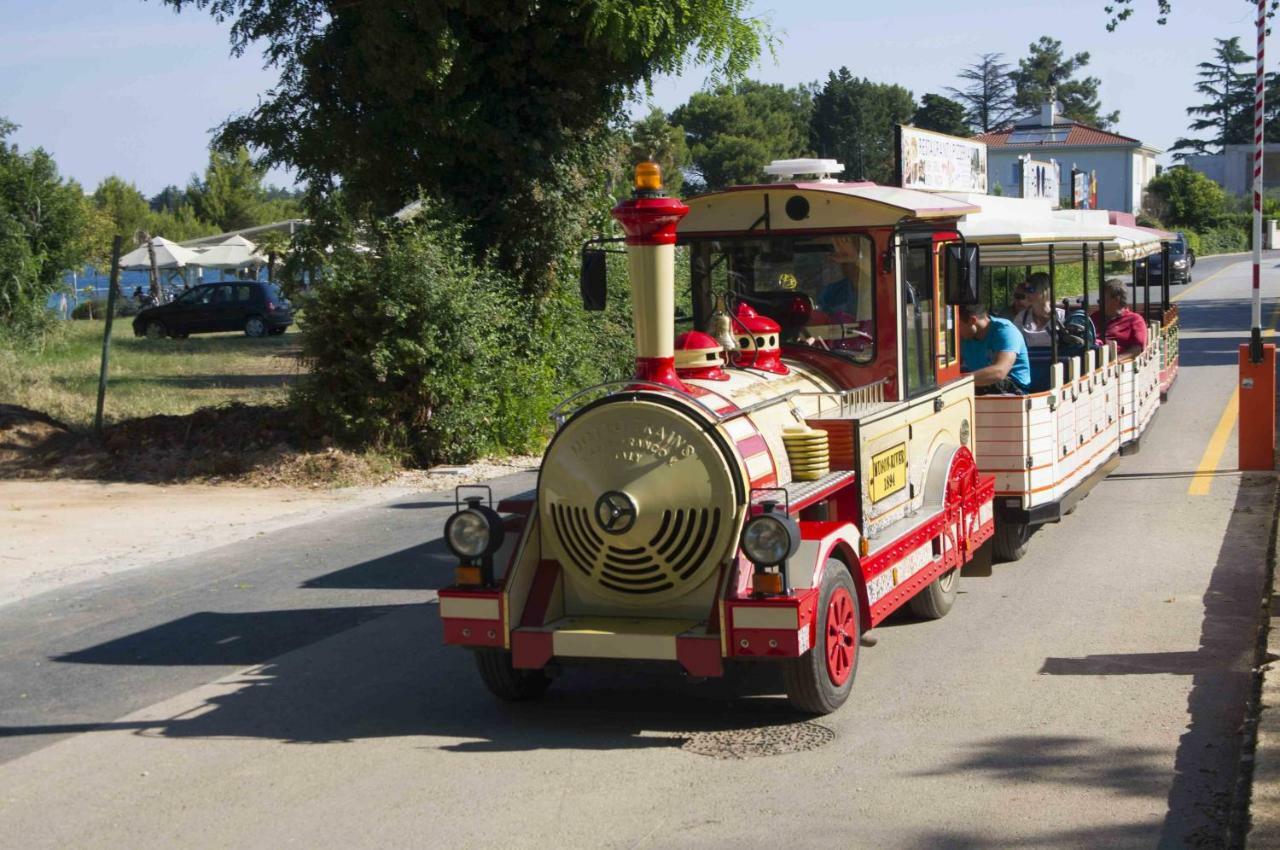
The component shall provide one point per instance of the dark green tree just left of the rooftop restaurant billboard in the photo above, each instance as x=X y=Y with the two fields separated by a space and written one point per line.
x=853 y=121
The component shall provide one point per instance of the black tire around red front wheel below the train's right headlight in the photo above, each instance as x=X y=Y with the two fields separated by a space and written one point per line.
x=810 y=686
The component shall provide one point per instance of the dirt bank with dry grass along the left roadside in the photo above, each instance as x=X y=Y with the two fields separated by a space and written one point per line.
x=257 y=446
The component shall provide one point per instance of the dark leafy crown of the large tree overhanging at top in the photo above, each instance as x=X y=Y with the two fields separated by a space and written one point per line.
x=504 y=111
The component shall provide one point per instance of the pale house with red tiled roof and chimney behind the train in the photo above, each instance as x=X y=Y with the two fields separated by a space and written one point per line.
x=1124 y=166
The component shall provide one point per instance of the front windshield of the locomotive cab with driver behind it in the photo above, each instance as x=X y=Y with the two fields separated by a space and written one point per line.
x=820 y=289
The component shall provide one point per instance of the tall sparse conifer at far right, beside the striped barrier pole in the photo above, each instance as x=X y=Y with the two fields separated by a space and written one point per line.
x=1229 y=109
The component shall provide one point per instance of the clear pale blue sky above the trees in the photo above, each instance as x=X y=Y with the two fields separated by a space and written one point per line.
x=130 y=88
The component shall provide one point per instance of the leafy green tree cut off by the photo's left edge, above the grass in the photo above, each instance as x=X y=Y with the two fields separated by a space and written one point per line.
x=42 y=234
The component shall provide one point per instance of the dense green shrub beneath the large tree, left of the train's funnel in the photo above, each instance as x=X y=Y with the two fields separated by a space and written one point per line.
x=420 y=353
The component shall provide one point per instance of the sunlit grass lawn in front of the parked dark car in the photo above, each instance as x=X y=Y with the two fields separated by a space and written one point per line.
x=147 y=377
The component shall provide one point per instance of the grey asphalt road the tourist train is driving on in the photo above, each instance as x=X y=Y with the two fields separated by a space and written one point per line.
x=294 y=689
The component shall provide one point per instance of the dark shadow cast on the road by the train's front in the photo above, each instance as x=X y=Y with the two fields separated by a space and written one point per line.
x=385 y=674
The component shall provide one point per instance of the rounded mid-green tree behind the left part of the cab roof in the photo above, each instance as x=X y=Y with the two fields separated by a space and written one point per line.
x=735 y=131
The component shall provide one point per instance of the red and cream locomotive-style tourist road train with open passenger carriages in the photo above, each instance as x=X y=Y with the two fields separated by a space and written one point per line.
x=798 y=454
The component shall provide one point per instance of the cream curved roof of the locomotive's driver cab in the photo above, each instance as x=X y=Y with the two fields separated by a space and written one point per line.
x=828 y=205
